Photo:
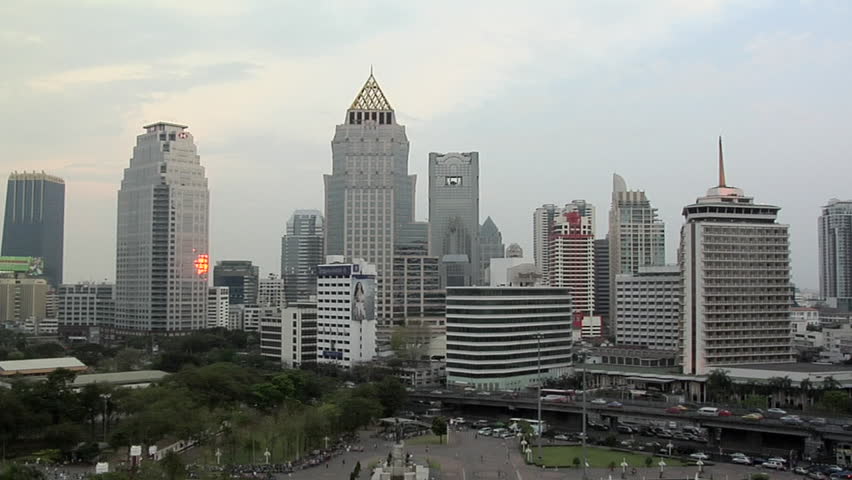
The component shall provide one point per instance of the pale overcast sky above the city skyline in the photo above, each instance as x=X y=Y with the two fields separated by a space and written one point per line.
x=556 y=96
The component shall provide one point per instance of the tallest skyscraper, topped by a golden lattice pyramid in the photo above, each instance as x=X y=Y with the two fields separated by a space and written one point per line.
x=369 y=194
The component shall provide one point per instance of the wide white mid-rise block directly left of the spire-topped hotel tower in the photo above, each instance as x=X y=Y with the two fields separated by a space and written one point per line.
x=647 y=311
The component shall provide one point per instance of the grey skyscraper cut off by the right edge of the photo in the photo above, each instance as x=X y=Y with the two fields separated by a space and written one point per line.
x=835 y=253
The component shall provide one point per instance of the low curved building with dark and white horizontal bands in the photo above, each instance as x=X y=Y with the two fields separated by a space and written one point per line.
x=496 y=336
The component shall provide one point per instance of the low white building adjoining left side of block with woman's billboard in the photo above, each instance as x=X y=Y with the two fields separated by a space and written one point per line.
x=289 y=334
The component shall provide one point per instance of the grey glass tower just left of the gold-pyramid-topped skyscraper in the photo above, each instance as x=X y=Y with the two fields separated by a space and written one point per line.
x=301 y=252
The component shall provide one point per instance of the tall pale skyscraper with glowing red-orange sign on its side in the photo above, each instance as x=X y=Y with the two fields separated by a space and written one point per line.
x=162 y=257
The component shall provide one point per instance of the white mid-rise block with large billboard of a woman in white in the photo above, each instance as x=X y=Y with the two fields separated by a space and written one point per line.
x=346 y=312
